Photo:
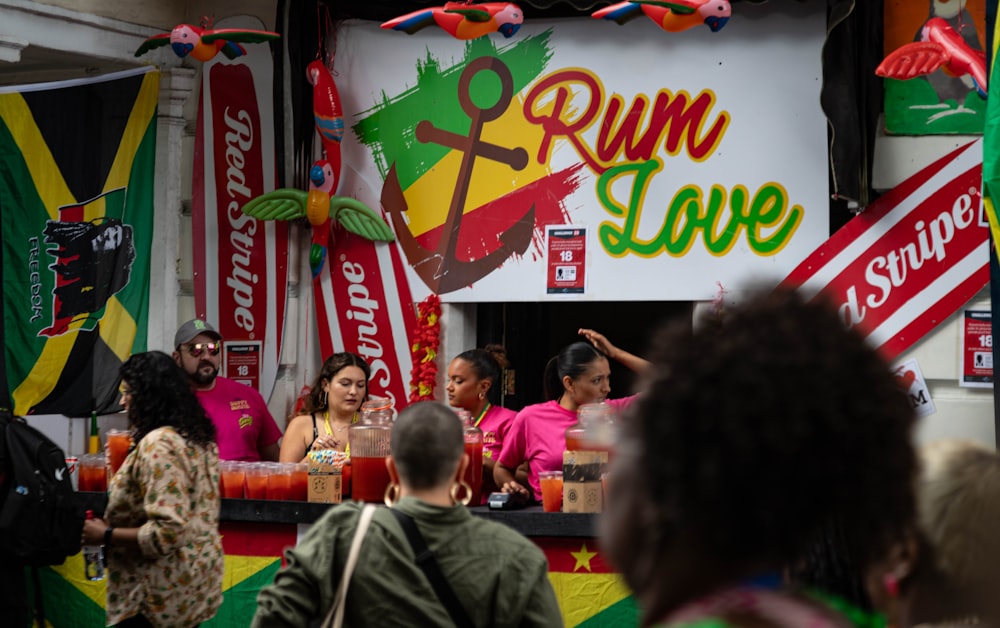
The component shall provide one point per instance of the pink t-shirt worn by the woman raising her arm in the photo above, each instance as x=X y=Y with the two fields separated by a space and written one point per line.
x=538 y=435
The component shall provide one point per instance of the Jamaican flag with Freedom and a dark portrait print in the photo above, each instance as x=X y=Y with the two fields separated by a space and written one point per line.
x=76 y=220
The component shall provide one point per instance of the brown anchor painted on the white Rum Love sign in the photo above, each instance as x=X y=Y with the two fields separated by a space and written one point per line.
x=439 y=268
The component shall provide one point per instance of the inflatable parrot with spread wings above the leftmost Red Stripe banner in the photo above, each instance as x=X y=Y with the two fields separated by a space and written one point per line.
x=203 y=42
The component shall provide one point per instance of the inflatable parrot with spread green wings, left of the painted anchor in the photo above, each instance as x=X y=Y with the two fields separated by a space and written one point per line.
x=321 y=208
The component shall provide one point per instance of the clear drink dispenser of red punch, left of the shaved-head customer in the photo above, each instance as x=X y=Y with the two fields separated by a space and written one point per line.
x=369 y=439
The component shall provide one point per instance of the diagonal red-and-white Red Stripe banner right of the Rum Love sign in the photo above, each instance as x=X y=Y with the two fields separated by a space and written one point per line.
x=911 y=259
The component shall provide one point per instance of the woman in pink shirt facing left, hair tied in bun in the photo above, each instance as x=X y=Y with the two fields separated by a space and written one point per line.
x=472 y=377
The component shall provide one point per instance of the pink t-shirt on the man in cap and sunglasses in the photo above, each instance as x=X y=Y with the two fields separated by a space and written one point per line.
x=243 y=424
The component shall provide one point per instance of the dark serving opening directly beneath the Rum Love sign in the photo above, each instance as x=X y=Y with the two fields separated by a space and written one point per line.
x=534 y=332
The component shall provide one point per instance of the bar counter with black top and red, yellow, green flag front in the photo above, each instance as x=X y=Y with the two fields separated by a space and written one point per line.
x=256 y=532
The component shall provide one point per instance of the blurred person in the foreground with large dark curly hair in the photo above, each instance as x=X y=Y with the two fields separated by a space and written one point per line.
x=752 y=434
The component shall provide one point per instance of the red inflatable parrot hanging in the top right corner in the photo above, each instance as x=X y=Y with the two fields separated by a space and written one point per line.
x=940 y=47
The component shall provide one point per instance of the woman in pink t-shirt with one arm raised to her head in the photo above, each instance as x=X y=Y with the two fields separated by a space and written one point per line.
x=578 y=375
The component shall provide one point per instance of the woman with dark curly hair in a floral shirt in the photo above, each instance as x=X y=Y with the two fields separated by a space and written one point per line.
x=161 y=527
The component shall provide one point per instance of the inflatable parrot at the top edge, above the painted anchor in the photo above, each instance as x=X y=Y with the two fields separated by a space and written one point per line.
x=463 y=20
